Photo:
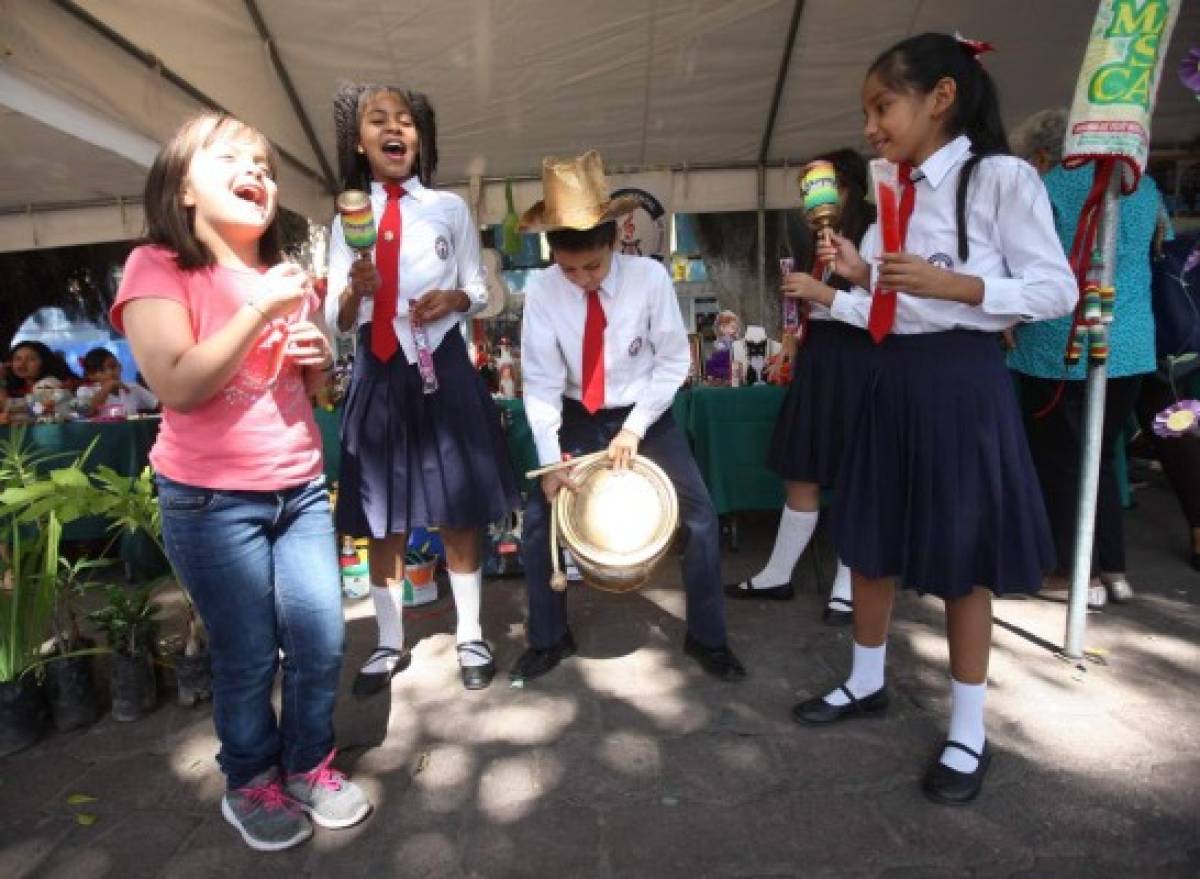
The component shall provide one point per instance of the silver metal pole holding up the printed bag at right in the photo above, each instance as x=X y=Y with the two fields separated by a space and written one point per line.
x=1094 y=424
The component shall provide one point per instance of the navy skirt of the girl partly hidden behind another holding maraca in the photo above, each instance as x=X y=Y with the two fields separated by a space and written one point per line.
x=830 y=376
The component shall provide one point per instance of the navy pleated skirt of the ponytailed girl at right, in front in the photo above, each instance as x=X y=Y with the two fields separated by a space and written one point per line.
x=938 y=487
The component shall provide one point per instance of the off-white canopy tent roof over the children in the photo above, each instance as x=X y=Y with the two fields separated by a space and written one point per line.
x=688 y=99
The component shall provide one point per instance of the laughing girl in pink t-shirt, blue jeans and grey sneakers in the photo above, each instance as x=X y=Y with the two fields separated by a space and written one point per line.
x=219 y=325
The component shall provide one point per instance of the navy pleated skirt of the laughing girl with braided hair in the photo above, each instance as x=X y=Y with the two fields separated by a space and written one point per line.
x=412 y=459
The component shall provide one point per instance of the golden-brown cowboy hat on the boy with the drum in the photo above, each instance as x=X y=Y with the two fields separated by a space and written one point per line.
x=577 y=196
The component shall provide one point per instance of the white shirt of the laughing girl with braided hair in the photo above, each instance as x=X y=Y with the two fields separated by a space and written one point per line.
x=439 y=250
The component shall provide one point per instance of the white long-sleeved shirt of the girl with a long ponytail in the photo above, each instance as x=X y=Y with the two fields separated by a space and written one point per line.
x=1015 y=248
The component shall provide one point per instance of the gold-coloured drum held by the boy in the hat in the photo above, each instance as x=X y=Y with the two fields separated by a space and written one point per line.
x=619 y=525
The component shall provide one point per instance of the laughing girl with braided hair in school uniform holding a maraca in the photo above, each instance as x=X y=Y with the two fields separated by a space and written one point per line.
x=413 y=457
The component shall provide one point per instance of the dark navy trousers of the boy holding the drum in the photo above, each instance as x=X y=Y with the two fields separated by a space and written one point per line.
x=701 y=564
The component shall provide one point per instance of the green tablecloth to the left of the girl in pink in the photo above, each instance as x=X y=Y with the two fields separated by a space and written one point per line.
x=123 y=446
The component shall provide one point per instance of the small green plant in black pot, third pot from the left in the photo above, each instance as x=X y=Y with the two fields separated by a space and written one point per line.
x=129 y=624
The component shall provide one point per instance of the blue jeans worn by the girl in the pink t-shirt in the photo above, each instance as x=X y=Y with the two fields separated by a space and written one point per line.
x=262 y=569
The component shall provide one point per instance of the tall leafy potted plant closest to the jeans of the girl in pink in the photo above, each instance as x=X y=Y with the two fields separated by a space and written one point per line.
x=134 y=510
